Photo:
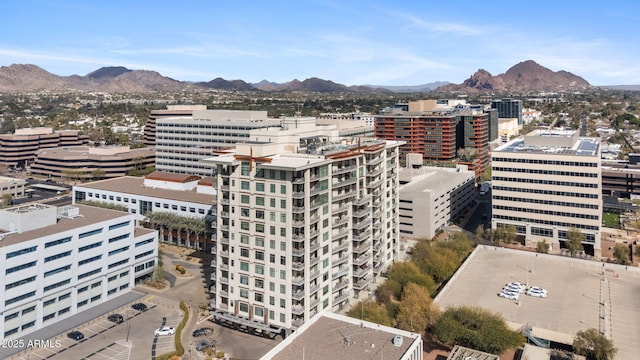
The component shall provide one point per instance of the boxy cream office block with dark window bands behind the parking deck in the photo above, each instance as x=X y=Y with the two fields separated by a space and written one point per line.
x=547 y=183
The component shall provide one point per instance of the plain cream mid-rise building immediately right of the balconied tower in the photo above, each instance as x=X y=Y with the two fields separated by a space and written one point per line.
x=431 y=198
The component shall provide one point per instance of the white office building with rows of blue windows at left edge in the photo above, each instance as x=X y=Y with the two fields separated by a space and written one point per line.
x=61 y=261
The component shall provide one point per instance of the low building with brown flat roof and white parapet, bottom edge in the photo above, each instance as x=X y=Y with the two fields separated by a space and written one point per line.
x=334 y=336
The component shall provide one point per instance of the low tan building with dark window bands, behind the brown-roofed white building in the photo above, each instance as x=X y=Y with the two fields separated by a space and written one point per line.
x=88 y=163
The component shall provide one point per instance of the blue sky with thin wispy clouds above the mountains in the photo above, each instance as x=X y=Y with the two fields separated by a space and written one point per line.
x=350 y=42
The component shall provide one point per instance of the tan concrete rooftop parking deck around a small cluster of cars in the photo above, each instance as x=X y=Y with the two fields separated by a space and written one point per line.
x=579 y=293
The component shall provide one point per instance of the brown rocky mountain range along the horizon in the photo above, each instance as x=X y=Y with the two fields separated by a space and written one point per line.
x=525 y=76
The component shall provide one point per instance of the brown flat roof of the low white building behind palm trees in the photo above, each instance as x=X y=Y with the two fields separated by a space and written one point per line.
x=135 y=186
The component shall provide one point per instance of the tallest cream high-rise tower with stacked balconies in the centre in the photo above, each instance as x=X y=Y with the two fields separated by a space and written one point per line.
x=304 y=224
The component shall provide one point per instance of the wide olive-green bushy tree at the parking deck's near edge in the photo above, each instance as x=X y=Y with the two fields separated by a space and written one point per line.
x=476 y=328
